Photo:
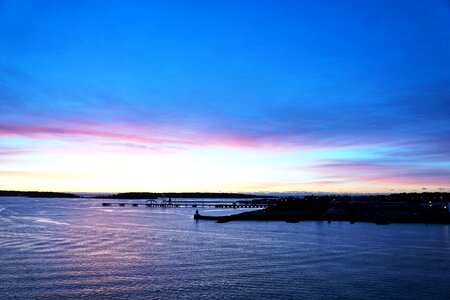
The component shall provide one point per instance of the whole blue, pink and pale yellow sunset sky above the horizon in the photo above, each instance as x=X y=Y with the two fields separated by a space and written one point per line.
x=225 y=96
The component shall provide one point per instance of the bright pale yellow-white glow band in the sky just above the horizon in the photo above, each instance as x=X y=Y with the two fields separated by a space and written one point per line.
x=67 y=167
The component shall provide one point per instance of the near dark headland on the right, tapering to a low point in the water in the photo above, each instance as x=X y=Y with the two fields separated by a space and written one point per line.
x=432 y=208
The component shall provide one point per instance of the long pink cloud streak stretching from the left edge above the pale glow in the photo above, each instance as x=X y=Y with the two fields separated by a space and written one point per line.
x=141 y=136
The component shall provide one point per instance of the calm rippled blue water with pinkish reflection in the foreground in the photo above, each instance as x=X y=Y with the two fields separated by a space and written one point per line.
x=60 y=248
